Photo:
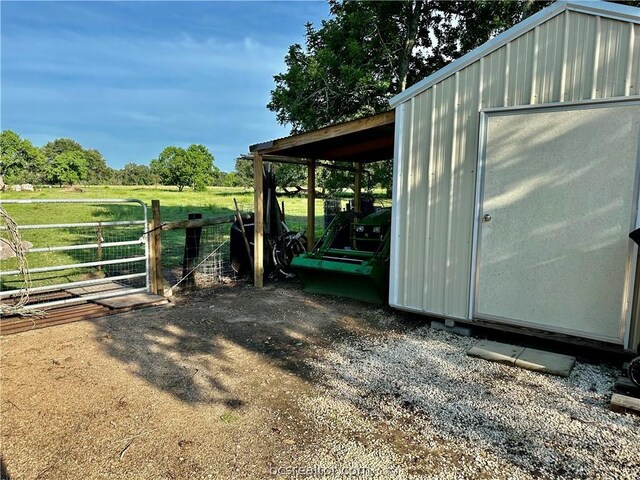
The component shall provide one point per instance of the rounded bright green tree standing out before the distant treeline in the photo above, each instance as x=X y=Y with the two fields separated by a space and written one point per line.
x=192 y=167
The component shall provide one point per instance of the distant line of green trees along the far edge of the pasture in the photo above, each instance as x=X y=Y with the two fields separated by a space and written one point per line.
x=65 y=162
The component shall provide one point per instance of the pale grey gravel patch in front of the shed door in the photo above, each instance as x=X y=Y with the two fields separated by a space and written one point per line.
x=461 y=417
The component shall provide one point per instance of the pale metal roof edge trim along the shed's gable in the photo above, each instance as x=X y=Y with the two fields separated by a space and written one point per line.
x=604 y=9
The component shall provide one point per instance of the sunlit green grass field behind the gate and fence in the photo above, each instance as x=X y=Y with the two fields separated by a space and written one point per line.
x=174 y=205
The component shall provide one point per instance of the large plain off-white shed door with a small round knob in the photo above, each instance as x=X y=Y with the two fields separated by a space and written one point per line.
x=558 y=197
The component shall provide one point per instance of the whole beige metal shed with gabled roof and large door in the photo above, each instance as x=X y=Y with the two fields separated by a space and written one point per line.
x=516 y=180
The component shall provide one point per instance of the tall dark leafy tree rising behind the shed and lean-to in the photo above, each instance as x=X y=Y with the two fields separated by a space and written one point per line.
x=369 y=51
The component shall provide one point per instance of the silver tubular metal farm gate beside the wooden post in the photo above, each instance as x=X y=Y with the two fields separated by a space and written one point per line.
x=76 y=250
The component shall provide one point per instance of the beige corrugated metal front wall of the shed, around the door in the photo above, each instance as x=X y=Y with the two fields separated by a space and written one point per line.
x=572 y=56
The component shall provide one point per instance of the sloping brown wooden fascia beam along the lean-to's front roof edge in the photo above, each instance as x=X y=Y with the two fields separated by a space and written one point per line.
x=386 y=118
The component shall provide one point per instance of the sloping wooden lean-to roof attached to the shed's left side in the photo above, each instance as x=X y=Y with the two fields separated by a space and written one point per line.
x=364 y=140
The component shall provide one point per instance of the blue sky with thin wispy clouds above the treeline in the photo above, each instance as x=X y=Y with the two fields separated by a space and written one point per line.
x=130 y=78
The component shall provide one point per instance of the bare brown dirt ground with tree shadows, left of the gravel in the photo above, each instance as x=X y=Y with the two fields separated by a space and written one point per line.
x=205 y=389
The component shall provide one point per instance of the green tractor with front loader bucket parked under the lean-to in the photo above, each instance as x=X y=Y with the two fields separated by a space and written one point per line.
x=351 y=259
